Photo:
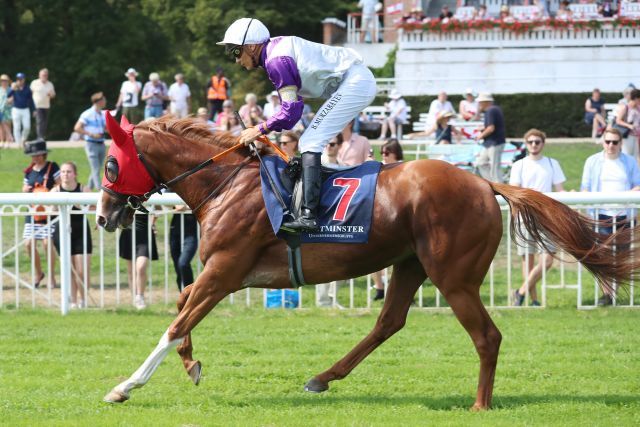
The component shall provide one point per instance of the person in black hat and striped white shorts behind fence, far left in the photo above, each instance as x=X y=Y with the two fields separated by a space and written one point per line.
x=40 y=176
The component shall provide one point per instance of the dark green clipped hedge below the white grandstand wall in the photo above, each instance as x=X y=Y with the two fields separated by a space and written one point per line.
x=557 y=114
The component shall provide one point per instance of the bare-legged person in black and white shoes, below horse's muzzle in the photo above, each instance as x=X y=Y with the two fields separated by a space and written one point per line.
x=144 y=251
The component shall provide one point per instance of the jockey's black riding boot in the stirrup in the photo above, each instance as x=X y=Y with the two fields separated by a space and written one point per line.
x=311 y=177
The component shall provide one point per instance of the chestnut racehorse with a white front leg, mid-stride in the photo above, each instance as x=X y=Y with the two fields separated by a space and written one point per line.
x=430 y=219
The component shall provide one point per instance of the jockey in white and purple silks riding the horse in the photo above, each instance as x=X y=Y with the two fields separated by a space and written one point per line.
x=302 y=69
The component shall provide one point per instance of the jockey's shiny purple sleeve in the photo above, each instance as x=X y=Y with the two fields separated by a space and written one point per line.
x=283 y=71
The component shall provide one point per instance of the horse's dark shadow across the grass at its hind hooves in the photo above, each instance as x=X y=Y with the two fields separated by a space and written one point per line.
x=439 y=403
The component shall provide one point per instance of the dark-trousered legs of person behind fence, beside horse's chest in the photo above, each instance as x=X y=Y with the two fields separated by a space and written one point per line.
x=183 y=243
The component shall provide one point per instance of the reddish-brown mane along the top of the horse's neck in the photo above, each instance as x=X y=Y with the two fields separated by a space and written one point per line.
x=189 y=128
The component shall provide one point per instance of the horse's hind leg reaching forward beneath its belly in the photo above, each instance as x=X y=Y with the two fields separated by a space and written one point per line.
x=407 y=277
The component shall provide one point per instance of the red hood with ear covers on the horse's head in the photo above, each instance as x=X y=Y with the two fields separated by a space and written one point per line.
x=133 y=178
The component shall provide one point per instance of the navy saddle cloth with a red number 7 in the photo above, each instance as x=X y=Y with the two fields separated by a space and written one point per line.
x=346 y=202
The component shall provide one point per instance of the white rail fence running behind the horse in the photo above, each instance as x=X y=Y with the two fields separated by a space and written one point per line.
x=106 y=284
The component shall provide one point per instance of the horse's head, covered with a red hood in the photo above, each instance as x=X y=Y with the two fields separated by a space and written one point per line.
x=124 y=176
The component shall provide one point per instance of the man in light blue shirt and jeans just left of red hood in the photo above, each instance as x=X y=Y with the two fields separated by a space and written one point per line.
x=91 y=126
